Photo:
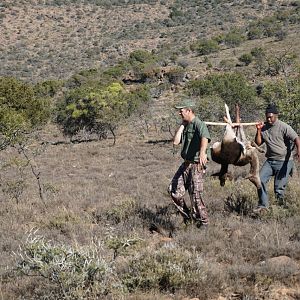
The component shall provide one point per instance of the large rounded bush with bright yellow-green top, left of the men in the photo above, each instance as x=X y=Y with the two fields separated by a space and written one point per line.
x=98 y=110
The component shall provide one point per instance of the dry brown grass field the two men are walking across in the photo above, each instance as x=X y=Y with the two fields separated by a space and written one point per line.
x=111 y=195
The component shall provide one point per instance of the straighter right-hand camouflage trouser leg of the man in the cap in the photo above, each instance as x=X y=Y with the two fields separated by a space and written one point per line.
x=196 y=194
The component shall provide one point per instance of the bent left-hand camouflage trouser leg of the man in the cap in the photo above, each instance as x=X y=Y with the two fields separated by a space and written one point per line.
x=177 y=190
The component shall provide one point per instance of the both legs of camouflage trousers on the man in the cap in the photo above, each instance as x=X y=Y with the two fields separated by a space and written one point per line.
x=189 y=177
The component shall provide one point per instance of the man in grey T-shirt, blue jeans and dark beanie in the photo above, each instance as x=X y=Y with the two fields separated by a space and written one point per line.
x=279 y=138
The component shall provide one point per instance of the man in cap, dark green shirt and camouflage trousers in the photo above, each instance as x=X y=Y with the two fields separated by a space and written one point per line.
x=194 y=137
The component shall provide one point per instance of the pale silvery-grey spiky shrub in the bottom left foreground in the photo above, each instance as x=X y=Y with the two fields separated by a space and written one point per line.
x=74 y=272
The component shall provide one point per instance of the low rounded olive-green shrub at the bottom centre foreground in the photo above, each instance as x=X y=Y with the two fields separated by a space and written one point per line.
x=171 y=270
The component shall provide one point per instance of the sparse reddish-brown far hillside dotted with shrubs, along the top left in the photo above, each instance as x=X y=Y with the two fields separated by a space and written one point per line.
x=54 y=39
